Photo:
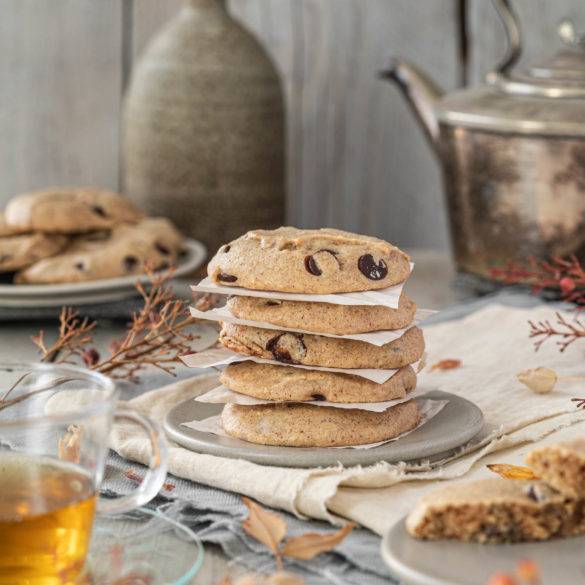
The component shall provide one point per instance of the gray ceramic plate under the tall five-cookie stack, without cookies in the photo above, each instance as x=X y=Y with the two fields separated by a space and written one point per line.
x=456 y=424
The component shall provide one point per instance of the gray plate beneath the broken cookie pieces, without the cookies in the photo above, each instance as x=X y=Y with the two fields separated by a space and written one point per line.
x=415 y=562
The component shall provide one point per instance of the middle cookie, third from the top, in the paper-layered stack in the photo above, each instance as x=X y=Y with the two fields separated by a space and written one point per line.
x=316 y=350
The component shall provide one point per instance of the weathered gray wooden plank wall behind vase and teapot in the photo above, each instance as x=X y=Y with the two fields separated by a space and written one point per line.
x=356 y=158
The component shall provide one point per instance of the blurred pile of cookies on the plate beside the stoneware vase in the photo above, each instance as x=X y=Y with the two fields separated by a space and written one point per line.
x=81 y=234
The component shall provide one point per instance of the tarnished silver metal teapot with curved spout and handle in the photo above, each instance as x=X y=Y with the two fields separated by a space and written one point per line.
x=512 y=153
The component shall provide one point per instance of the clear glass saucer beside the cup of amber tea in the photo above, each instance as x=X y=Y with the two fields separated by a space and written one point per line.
x=143 y=546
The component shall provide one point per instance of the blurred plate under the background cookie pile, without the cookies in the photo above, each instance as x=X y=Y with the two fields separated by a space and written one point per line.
x=16 y=294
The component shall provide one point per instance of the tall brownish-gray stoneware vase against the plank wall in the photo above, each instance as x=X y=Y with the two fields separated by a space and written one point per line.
x=204 y=128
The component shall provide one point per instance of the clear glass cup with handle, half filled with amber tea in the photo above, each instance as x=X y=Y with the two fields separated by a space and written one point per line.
x=54 y=427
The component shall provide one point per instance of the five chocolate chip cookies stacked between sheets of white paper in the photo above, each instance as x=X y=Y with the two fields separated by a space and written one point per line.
x=315 y=262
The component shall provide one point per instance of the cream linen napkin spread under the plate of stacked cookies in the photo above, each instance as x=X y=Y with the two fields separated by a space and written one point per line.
x=492 y=345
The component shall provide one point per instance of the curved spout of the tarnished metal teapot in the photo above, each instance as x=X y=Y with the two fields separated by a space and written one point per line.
x=421 y=92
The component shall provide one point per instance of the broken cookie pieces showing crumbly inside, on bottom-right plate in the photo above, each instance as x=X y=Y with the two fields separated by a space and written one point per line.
x=500 y=510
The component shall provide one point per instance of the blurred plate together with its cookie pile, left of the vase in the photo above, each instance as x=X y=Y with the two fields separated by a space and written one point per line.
x=84 y=246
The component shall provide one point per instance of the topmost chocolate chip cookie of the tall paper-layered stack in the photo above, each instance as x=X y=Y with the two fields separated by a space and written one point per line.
x=309 y=261
